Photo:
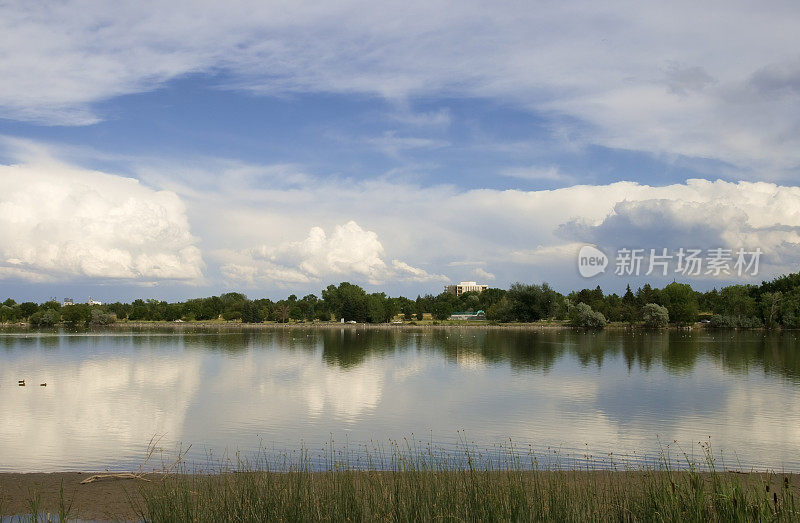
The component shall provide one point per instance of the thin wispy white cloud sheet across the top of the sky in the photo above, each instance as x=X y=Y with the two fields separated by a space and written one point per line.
x=663 y=78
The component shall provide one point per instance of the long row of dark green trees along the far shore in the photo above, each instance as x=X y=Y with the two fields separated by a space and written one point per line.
x=771 y=304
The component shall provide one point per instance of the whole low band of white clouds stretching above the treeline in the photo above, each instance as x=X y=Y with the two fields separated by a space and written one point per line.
x=265 y=228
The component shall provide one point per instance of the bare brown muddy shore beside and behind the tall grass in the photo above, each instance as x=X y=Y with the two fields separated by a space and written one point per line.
x=122 y=499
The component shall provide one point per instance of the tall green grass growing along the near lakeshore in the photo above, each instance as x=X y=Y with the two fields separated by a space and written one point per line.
x=412 y=484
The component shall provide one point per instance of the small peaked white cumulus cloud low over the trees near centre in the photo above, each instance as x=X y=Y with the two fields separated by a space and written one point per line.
x=349 y=251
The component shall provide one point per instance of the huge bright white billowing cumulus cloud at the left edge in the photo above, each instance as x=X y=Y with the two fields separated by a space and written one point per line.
x=61 y=222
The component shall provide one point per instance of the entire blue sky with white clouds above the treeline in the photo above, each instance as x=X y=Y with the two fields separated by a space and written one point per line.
x=183 y=149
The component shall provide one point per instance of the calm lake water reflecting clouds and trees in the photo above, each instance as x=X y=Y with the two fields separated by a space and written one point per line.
x=109 y=393
